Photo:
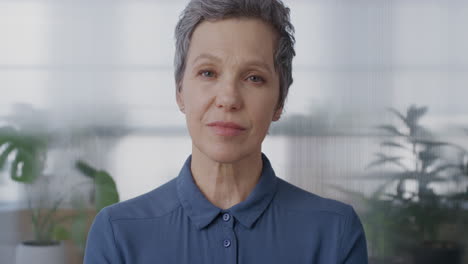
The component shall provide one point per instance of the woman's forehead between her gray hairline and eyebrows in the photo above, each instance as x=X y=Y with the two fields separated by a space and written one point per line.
x=241 y=39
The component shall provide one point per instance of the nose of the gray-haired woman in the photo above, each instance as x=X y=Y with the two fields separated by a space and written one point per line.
x=228 y=97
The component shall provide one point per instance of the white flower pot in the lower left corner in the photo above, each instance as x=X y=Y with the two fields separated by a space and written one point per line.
x=30 y=252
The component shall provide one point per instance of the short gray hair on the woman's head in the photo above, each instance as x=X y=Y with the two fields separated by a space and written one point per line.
x=273 y=12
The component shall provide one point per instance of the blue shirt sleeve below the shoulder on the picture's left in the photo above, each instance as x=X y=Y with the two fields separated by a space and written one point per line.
x=100 y=244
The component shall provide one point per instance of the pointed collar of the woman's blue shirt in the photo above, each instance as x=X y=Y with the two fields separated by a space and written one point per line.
x=202 y=212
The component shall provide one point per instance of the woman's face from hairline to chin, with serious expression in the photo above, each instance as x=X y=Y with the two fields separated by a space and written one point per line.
x=230 y=88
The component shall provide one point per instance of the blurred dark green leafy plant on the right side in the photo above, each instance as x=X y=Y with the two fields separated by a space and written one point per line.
x=405 y=210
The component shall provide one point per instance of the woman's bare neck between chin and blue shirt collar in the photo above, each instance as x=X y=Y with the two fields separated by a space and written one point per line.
x=225 y=184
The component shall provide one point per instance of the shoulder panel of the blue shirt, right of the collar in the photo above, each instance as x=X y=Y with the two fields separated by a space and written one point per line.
x=294 y=199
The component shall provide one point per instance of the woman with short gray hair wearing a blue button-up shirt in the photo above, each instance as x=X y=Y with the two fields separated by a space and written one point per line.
x=233 y=71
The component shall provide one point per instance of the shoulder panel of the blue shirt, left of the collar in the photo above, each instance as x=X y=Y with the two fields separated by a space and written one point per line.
x=153 y=204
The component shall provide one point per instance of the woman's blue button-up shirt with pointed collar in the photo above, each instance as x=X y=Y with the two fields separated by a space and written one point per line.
x=277 y=223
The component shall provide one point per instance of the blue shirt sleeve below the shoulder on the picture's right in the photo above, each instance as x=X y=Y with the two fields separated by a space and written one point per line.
x=353 y=243
